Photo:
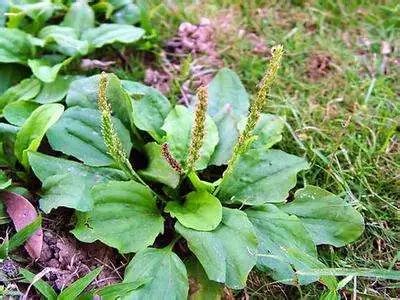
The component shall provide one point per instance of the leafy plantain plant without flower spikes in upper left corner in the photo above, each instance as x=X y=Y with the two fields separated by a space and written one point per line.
x=41 y=40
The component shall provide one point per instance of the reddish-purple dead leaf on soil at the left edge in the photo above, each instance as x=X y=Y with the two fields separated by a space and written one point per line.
x=22 y=213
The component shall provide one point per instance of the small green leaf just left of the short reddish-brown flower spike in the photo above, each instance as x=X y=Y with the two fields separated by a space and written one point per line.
x=158 y=168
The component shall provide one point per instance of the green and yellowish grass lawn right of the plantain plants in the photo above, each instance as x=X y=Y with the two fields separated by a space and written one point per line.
x=347 y=122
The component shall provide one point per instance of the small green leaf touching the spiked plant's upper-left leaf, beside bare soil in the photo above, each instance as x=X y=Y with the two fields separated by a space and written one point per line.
x=54 y=91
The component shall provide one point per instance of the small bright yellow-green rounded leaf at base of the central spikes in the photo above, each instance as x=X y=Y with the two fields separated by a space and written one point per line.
x=200 y=211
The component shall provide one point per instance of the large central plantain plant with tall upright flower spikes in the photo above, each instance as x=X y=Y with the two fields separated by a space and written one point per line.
x=196 y=193
